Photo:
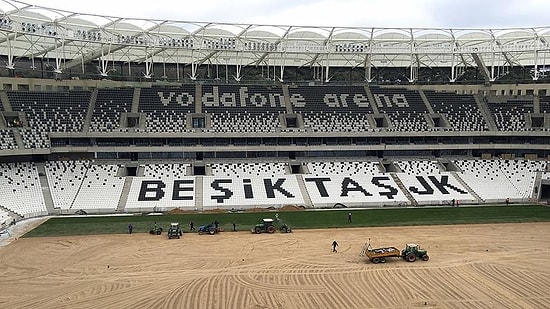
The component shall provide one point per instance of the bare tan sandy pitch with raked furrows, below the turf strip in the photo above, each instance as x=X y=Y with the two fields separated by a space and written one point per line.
x=471 y=266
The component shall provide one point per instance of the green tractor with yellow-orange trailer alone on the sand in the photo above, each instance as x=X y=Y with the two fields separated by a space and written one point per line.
x=379 y=255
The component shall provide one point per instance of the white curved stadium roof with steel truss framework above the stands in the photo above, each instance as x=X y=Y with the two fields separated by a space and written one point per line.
x=73 y=39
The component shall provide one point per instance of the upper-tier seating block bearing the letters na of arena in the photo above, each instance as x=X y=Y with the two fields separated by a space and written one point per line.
x=405 y=108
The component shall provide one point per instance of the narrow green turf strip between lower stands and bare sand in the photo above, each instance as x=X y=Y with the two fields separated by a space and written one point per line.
x=88 y=225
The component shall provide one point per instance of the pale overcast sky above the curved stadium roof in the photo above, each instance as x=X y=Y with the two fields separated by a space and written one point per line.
x=364 y=13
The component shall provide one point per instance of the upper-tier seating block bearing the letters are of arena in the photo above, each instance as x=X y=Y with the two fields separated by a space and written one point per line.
x=332 y=108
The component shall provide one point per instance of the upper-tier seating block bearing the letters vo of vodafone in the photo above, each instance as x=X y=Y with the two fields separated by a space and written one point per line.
x=166 y=108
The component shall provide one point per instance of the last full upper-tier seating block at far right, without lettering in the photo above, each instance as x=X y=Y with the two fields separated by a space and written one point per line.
x=509 y=115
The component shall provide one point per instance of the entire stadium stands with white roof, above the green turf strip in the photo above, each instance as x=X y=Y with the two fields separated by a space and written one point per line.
x=160 y=114
